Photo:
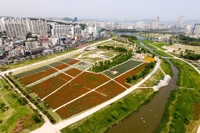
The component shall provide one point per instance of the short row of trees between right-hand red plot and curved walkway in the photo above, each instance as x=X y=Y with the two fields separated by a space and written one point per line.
x=141 y=74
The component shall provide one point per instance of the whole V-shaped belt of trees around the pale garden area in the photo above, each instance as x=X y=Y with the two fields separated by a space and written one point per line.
x=118 y=59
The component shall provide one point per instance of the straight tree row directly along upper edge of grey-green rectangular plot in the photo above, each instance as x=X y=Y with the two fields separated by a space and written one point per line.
x=118 y=59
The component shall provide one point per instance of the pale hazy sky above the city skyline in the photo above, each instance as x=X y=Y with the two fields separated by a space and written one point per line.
x=102 y=9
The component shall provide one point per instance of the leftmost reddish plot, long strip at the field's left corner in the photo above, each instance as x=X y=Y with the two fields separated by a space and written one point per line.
x=34 y=77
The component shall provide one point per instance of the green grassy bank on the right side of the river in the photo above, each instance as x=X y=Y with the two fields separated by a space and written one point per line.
x=183 y=107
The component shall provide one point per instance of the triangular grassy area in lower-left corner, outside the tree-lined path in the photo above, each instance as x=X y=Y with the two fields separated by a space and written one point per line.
x=14 y=111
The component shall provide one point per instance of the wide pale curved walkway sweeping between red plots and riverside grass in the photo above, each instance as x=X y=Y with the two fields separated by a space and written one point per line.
x=46 y=128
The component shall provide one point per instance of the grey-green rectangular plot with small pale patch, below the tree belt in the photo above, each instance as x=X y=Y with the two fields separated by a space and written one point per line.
x=122 y=68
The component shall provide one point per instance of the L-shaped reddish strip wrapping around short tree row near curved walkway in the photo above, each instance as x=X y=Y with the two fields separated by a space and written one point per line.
x=122 y=79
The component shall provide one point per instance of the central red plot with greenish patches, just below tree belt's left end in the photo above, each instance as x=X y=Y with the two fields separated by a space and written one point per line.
x=90 y=80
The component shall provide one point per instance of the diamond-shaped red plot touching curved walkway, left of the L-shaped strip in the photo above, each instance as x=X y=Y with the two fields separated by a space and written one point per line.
x=111 y=89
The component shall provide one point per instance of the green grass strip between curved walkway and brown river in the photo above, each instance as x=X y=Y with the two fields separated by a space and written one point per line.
x=100 y=121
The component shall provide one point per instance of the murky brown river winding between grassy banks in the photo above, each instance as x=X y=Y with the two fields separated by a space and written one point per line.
x=149 y=116
